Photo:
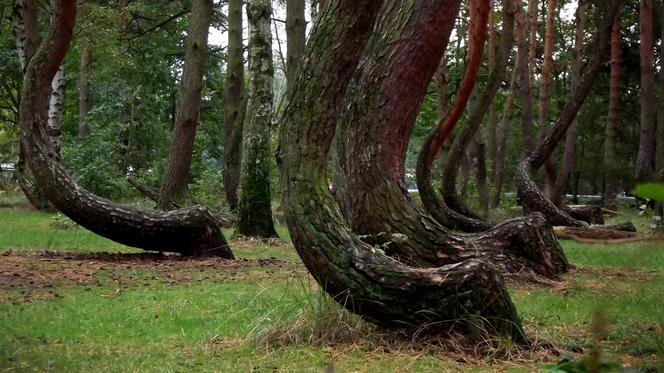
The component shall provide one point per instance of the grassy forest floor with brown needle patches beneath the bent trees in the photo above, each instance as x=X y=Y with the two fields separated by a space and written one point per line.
x=72 y=301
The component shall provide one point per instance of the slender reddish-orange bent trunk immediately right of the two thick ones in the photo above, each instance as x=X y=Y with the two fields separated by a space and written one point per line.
x=434 y=205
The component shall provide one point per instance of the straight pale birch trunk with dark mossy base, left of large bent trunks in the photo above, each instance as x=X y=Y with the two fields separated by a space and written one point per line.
x=255 y=211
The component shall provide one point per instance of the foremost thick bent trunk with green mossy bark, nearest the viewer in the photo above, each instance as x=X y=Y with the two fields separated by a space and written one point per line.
x=356 y=275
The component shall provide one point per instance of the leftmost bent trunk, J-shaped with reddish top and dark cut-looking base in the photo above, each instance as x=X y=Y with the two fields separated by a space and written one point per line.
x=189 y=231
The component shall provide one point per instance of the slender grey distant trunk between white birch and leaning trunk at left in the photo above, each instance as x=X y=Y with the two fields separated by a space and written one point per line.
x=84 y=80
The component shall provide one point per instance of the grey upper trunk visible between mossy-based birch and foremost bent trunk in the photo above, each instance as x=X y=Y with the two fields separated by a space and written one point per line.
x=296 y=37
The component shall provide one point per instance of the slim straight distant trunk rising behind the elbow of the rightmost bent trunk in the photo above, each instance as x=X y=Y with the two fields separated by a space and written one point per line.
x=523 y=82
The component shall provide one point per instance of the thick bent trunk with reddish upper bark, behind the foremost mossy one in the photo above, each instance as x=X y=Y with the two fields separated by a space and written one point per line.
x=381 y=106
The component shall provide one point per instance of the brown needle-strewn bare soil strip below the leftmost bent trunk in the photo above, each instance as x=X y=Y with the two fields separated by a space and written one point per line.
x=37 y=276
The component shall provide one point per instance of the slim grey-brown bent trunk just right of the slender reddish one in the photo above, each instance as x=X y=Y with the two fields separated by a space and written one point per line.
x=477 y=114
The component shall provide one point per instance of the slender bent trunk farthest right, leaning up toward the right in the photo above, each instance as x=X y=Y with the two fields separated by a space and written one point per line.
x=531 y=196
